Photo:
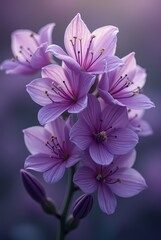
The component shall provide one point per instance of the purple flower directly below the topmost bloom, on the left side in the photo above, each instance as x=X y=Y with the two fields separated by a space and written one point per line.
x=60 y=90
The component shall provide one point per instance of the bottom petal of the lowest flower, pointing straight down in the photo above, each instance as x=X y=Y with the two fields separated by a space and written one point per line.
x=106 y=199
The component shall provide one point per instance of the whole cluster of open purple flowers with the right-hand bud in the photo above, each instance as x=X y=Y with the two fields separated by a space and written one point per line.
x=92 y=108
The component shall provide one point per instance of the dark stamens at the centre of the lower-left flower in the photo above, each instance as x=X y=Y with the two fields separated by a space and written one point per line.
x=57 y=150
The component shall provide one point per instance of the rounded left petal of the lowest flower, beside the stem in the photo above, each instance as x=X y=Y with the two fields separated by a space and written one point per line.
x=85 y=179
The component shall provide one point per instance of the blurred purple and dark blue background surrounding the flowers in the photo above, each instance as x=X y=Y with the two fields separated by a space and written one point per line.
x=135 y=218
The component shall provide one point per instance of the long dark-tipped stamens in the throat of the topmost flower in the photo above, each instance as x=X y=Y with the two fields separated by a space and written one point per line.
x=86 y=58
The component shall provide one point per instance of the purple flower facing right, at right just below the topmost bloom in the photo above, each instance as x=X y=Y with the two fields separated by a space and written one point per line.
x=124 y=85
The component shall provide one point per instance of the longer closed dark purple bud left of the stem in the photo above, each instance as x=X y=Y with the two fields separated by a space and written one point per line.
x=33 y=187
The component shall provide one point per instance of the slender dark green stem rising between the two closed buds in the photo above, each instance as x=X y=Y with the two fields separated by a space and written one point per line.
x=66 y=204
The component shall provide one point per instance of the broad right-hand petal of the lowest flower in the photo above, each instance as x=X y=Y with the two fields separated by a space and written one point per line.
x=130 y=183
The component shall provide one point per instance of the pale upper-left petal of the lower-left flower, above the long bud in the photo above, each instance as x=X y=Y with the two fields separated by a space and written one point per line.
x=35 y=139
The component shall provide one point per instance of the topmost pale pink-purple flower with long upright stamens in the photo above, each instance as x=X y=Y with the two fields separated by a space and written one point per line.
x=86 y=50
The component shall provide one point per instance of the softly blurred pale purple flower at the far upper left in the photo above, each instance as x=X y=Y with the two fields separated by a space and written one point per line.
x=29 y=51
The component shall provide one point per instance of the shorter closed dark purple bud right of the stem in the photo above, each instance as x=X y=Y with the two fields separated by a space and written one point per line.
x=82 y=206
